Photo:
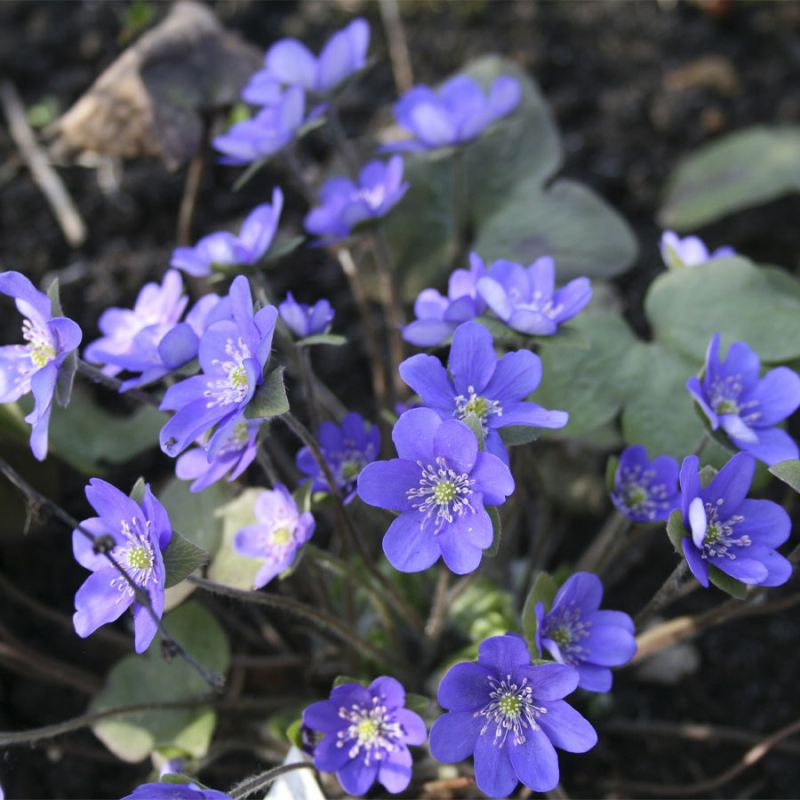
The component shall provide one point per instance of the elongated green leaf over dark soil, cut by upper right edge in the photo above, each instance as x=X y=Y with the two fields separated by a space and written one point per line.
x=738 y=171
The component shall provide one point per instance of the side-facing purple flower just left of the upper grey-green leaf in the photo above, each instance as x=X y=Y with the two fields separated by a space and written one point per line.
x=345 y=204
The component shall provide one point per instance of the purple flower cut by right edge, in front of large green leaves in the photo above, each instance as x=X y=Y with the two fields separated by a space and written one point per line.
x=746 y=407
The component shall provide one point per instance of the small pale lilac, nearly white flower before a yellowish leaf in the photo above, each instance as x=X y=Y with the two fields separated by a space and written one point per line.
x=277 y=535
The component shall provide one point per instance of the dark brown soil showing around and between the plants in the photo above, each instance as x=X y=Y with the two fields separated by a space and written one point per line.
x=605 y=69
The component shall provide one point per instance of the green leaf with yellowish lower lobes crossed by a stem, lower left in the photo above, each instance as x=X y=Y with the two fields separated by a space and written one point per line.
x=148 y=678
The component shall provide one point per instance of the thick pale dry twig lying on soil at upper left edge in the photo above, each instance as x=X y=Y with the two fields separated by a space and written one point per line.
x=46 y=178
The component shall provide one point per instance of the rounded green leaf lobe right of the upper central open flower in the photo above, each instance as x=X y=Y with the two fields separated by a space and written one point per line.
x=590 y=384
